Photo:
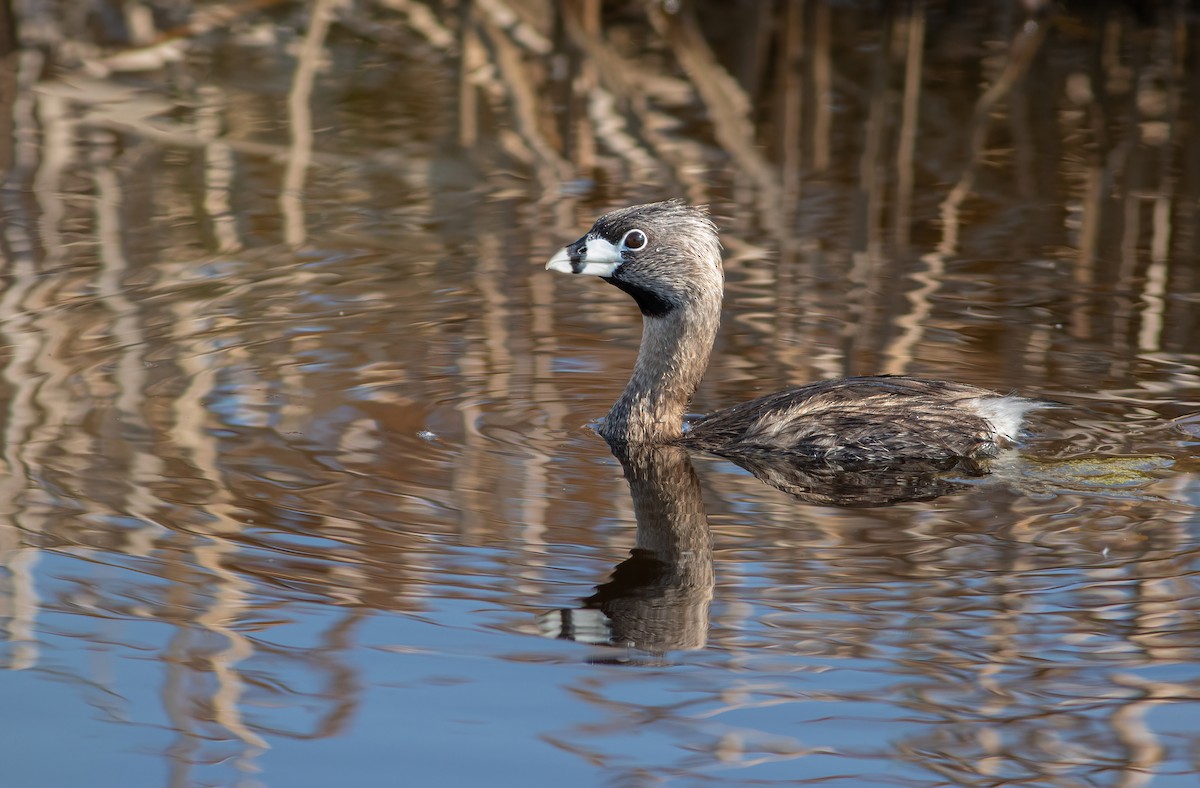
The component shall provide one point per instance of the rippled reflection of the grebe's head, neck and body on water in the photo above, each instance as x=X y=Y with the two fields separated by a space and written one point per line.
x=658 y=599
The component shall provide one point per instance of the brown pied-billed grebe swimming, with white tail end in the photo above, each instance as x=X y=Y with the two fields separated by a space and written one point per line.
x=668 y=257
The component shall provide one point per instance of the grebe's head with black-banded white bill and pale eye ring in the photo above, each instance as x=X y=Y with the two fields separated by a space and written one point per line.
x=667 y=256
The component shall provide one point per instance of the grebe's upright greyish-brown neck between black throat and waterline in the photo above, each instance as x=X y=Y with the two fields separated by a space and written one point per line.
x=671 y=362
